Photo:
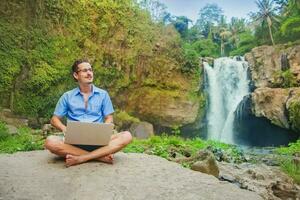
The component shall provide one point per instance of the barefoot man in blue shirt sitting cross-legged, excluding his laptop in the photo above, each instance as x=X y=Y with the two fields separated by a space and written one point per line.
x=90 y=104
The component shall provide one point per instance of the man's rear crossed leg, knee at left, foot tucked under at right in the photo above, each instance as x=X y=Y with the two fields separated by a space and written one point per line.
x=56 y=146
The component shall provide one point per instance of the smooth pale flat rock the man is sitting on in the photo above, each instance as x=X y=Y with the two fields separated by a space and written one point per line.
x=39 y=175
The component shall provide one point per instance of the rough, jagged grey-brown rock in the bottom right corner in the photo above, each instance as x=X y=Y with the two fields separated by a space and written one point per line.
x=269 y=182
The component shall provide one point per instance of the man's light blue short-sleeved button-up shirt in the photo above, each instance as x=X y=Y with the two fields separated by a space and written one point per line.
x=71 y=104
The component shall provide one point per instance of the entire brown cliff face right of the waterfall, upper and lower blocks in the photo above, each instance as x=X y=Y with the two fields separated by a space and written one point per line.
x=275 y=72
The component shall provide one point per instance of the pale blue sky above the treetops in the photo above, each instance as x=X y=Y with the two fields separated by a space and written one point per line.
x=190 y=8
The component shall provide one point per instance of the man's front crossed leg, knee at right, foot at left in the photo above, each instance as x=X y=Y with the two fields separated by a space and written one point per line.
x=118 y=142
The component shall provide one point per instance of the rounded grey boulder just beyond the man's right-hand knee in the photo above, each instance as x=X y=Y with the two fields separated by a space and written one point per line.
x=142 y=130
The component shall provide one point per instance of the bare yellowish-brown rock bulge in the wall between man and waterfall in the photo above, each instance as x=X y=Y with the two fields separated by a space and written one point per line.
x=164 y=108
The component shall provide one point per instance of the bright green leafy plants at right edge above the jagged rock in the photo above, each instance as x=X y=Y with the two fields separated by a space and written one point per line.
x=288 y=165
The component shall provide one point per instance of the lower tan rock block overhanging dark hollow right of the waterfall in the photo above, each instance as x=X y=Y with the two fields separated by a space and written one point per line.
x=273 y=104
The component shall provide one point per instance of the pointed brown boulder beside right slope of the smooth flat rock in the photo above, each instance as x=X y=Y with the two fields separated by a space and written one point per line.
x=207 y=165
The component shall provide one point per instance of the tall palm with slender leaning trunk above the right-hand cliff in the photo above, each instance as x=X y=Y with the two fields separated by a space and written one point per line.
x=266 y=15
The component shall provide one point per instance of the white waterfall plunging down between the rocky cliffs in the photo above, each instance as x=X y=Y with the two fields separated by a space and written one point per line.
x=227 y=84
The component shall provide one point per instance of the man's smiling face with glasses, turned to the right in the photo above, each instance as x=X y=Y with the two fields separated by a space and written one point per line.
x=84 y=73
